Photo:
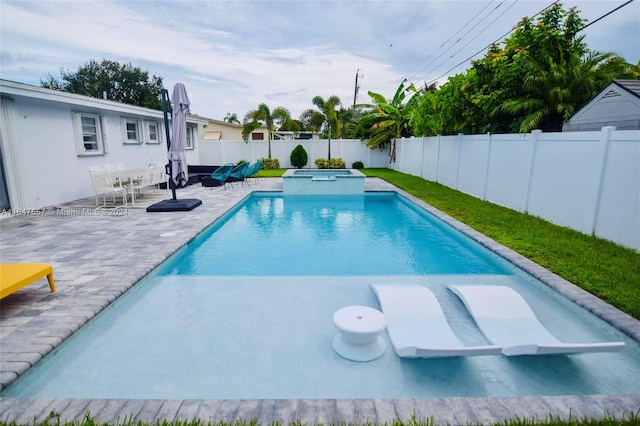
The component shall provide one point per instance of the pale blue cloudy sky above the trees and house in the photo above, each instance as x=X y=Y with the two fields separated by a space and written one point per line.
x=234 y=55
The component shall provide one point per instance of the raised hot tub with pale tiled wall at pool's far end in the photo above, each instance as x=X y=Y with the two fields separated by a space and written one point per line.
x=323 y=181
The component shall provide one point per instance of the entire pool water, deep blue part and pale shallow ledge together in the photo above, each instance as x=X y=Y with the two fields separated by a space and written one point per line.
x=245 y=311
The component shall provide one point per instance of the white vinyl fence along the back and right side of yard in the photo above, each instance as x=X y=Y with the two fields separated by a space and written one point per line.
x=588 y=181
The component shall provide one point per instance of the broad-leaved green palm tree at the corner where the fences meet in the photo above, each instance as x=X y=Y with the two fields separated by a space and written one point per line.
x=393 y=116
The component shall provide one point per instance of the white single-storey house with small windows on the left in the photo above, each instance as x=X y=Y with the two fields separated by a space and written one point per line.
x=49 y=139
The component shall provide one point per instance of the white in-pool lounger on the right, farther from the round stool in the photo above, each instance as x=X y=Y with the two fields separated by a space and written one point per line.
x=506 y=319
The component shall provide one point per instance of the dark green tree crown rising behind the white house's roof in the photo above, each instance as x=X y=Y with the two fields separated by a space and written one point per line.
x=121 y=82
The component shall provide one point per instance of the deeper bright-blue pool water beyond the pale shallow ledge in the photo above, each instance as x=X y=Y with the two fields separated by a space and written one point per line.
x=377 y=234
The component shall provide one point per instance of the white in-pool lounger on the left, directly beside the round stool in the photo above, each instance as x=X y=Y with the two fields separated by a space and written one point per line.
x=417 y=326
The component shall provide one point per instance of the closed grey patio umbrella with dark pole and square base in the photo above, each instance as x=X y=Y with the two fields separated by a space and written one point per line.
x=176 y=144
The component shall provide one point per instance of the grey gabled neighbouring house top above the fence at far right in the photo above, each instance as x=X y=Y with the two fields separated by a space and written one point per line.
x=616 y=105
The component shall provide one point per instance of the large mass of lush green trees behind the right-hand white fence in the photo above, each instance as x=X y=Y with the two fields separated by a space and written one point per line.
x=536 y=79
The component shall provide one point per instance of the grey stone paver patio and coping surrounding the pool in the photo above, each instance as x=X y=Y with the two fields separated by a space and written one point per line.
x=97 y=257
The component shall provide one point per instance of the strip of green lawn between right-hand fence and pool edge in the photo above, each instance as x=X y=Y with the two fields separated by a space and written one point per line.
x=601 y=267
